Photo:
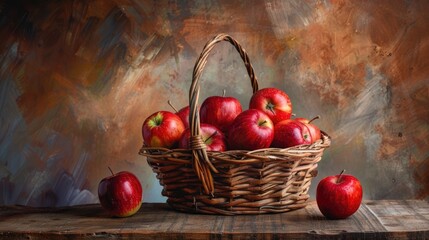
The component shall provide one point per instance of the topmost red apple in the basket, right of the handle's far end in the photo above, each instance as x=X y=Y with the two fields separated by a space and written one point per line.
x=274 y=102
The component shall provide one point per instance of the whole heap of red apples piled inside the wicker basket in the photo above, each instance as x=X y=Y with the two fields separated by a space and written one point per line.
x=225 y=126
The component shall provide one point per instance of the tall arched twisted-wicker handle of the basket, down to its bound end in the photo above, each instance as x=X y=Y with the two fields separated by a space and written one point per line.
x=201 y=163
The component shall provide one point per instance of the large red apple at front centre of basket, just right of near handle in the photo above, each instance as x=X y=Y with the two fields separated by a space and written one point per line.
x=252 y=129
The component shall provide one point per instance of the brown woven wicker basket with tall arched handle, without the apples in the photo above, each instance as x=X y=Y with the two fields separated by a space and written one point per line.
x=268 y=180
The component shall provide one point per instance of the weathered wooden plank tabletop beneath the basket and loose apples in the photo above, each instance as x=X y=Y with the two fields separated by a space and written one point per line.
x=386 y=219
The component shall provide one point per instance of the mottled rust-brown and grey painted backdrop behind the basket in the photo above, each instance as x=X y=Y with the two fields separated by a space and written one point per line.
x=78 y=78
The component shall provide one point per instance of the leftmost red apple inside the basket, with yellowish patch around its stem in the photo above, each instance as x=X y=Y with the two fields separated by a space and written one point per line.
x=162 y=129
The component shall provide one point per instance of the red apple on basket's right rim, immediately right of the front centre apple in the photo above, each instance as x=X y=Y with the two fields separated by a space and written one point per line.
x=289 y=133
